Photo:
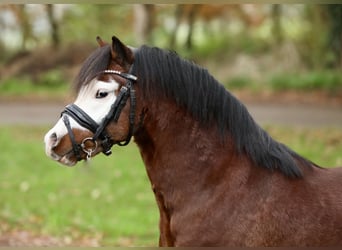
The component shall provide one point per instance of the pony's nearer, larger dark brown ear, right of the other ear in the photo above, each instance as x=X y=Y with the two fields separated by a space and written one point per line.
x=120 y=52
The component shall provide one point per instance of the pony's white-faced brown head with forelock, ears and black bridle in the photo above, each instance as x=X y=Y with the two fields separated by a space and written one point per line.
x=103 y=112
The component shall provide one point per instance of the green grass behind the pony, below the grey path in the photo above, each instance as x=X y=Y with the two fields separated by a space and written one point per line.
x=110 y=198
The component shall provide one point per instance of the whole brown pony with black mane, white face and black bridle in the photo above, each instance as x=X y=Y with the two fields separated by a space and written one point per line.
x=219 y=179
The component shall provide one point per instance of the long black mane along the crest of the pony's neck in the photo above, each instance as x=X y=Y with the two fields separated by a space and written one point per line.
x=163 y=73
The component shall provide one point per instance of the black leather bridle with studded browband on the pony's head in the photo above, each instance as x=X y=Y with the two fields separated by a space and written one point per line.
x=90 y=144
